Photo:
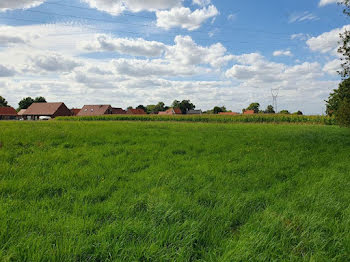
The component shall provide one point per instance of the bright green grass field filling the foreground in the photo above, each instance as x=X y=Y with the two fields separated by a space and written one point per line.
x=147 y=191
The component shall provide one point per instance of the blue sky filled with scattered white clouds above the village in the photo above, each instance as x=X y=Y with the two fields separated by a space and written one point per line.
x=130 y=52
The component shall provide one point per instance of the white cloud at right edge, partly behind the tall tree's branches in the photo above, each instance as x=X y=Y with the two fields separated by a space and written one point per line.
x=327 y=42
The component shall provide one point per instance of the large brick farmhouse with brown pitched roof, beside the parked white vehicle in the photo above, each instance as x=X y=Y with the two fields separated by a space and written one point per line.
x=52 y=110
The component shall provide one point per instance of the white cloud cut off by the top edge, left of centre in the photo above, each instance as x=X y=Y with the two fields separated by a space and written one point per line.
x=116 y=7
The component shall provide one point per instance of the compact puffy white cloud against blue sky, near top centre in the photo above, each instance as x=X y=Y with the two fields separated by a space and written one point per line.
x=183 y=17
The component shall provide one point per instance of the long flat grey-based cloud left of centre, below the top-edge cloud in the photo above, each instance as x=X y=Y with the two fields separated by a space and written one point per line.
x=135 y=47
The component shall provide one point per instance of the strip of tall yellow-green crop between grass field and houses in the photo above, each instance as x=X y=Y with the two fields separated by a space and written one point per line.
x=259 y=118
